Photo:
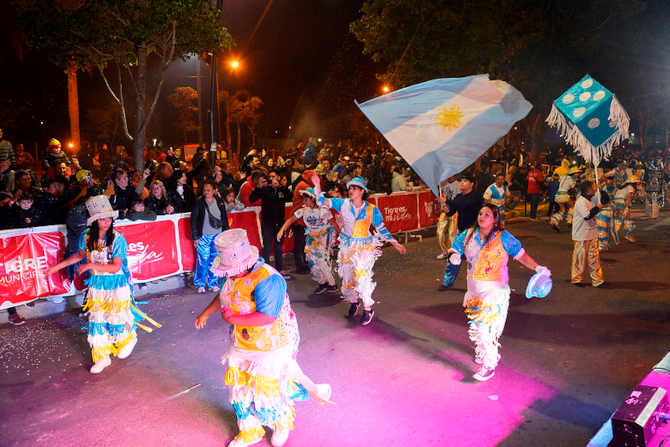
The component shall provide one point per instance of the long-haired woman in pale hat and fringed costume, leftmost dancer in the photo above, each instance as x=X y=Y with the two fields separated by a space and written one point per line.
x=113 y=315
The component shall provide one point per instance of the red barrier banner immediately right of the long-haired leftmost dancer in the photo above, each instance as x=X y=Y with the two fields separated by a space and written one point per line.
x=152 y=249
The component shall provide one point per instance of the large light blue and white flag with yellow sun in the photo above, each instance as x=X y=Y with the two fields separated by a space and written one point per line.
x=442 y=126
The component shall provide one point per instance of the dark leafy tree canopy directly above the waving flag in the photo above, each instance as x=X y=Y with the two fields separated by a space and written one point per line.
x=540 y=47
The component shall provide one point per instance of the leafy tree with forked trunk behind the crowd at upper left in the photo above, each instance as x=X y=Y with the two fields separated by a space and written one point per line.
x=124 y=38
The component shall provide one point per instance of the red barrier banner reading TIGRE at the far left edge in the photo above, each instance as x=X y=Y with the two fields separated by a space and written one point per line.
x=25 y=259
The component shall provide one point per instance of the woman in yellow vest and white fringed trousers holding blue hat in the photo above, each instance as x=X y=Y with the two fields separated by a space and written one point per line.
x=487 y=247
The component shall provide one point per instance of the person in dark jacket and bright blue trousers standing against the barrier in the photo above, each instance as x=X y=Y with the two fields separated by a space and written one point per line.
x=208 y=220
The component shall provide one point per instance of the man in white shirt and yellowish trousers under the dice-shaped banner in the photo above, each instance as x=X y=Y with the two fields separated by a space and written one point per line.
x=585 y=236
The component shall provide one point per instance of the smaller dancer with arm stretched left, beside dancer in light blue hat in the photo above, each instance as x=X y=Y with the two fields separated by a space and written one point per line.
x=319 y=223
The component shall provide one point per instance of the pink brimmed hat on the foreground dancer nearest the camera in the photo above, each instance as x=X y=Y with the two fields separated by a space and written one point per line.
x=235 y=253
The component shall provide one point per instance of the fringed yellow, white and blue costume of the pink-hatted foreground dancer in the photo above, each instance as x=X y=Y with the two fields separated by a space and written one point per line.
x=263 y=374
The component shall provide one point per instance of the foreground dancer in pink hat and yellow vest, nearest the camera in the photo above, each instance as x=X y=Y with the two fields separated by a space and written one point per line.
x=264 y=377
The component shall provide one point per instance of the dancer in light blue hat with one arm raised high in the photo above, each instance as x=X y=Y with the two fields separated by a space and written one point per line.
x=359 y=249
